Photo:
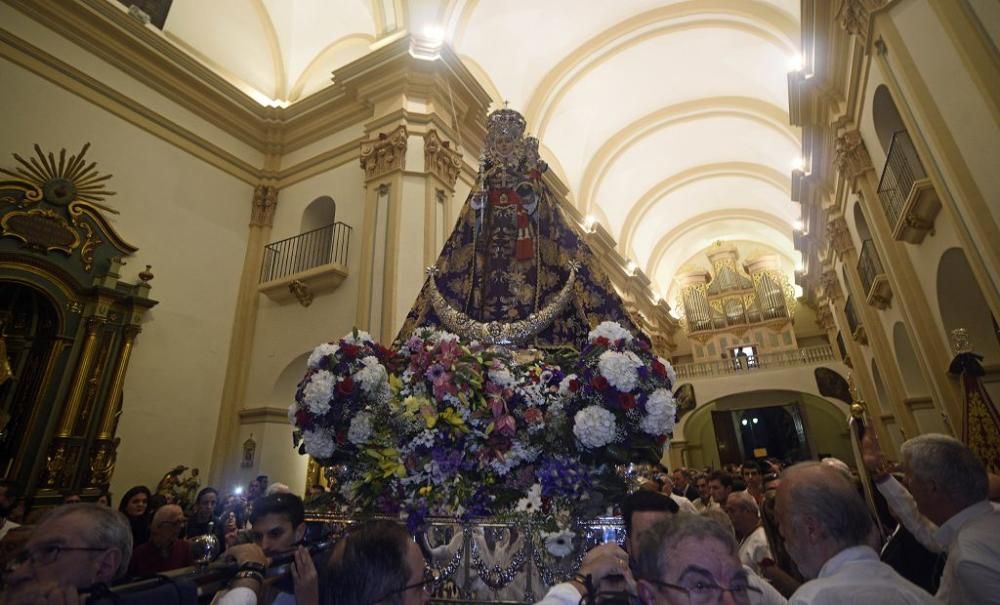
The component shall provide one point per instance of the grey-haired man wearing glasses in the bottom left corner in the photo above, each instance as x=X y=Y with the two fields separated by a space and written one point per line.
x=72 y=548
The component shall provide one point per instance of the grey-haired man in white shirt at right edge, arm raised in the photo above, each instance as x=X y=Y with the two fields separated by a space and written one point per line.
x=947 y=510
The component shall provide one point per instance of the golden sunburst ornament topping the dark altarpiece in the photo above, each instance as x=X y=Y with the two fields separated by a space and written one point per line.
x=64 y=181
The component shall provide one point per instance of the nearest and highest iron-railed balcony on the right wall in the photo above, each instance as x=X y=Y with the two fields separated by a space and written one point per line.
x=906 y=194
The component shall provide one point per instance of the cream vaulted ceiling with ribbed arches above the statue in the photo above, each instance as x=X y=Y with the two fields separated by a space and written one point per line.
x=667 y=119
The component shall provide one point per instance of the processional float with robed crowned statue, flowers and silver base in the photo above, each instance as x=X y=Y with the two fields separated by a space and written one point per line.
x=499 y=422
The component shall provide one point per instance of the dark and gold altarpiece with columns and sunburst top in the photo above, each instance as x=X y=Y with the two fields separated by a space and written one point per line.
x=68 y=325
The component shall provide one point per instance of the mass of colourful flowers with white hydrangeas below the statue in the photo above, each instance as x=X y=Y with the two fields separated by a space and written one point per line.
x=442 y=427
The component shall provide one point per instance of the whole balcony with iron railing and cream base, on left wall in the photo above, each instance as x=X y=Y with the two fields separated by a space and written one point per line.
x=310 y=263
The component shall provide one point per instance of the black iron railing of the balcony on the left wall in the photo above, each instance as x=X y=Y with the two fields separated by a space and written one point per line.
x=306 y=251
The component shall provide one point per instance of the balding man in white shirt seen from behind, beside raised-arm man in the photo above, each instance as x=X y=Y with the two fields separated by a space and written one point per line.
x=826 y=525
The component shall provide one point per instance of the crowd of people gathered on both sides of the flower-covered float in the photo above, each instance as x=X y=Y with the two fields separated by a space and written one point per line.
x=759 y=533
